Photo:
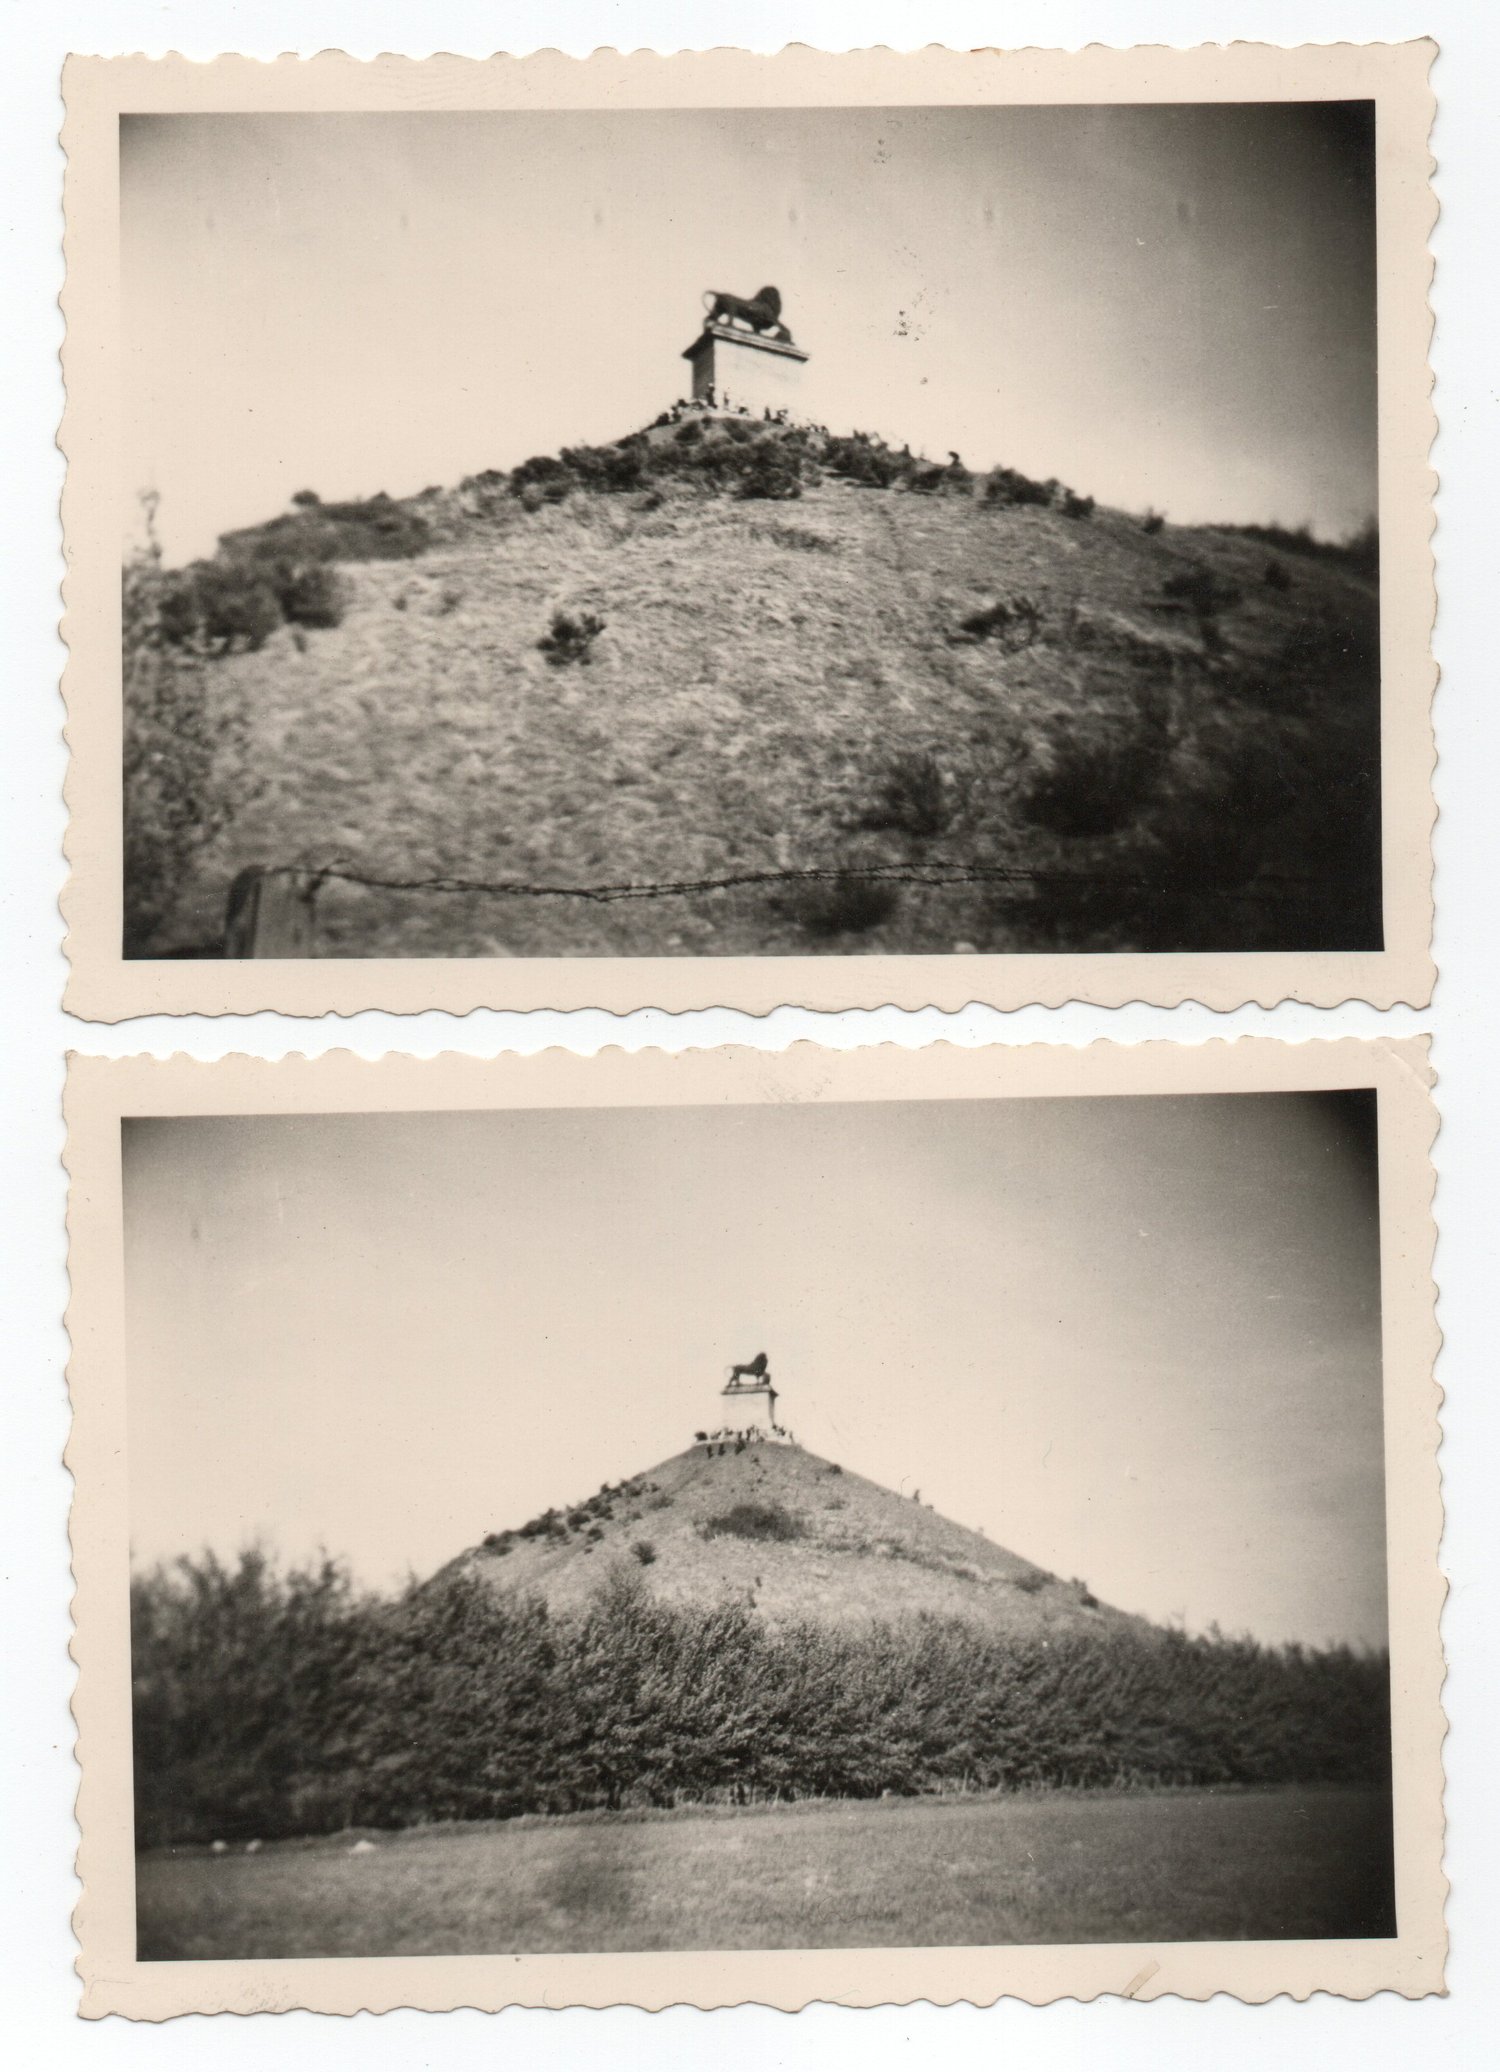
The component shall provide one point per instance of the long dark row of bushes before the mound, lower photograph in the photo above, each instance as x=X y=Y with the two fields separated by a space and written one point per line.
x=289 y=1704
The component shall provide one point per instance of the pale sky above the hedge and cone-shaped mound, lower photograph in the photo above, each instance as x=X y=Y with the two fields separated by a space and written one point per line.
x=1132 y=1340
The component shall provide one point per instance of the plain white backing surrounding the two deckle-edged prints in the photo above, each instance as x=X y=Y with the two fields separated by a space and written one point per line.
x=36 y=1768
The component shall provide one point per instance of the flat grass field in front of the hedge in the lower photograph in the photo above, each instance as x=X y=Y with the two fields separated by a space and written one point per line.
x=861 y=1874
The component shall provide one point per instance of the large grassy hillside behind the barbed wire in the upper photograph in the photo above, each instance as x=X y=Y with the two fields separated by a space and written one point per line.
x=1145 y=739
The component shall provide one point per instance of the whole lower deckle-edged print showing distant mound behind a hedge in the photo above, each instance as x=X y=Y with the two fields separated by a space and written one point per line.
x=647 y=1514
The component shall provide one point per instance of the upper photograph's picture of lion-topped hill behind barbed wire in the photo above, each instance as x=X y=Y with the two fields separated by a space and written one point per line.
x=788 y=534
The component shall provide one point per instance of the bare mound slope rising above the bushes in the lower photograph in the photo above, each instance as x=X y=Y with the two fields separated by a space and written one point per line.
x=855 y=1553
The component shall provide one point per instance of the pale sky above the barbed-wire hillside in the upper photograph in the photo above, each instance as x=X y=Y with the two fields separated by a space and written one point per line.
x=1161 y=306
